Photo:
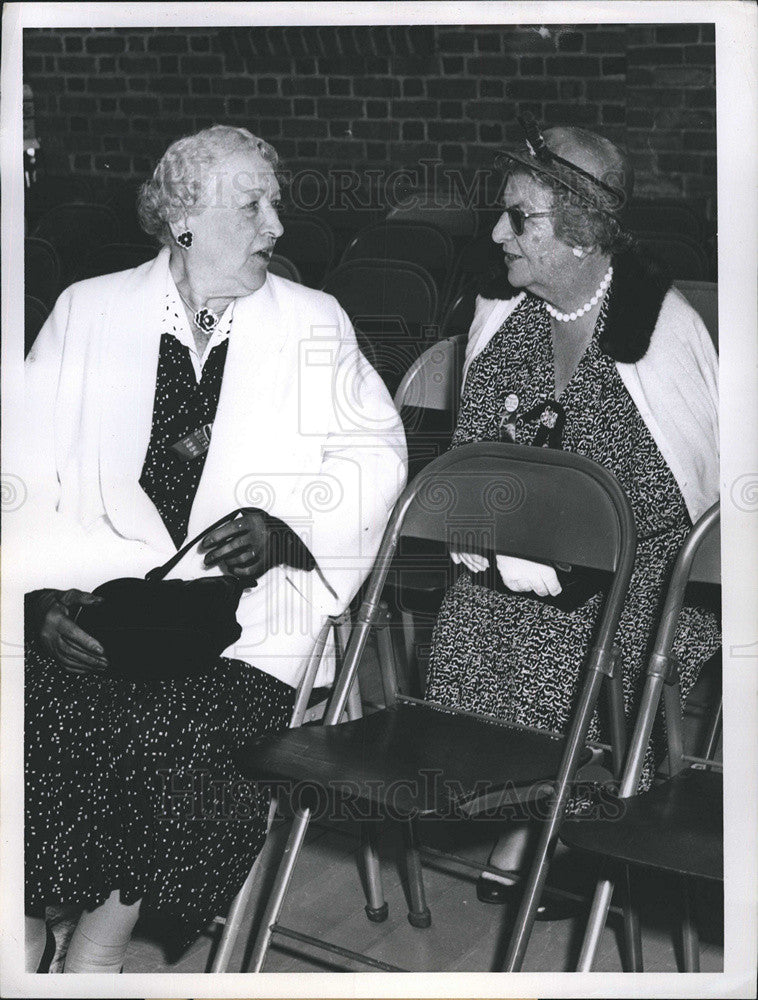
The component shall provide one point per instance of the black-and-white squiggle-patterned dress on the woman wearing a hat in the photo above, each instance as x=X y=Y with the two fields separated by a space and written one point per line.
x=516 y=657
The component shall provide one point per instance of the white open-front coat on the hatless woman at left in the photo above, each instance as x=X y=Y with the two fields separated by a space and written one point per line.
x=305 y=429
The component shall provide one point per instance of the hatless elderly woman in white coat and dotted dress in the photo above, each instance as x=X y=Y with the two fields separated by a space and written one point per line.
x=160 y=399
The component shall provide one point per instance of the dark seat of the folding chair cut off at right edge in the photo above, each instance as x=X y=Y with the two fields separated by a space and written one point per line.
x=676 y=827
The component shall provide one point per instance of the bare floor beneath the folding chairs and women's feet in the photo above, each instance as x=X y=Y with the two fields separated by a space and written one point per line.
x=326 y=900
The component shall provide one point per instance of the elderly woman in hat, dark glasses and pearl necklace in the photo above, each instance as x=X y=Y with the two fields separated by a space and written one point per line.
x=598 y=354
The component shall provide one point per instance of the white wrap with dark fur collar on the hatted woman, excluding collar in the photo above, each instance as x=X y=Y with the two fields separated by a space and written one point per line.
x=674 y=386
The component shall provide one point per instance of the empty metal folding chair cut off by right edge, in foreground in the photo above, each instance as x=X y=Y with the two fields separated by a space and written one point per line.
x=676 y=827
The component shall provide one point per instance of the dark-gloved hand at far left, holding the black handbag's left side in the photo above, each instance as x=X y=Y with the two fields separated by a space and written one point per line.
x=62 y=638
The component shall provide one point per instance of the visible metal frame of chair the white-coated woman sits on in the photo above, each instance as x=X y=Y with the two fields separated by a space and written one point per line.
x=302 y=712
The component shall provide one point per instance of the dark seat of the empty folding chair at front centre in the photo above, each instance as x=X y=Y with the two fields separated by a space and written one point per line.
x=407 y=761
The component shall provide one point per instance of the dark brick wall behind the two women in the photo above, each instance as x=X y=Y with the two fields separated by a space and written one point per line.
x=108 y=101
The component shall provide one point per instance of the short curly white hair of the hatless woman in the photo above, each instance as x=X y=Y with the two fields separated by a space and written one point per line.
x=177 y=181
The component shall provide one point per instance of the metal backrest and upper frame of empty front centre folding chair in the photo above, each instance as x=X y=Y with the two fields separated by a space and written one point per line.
x=537 y=503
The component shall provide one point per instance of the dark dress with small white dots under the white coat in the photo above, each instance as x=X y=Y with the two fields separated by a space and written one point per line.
x=133 y=786
